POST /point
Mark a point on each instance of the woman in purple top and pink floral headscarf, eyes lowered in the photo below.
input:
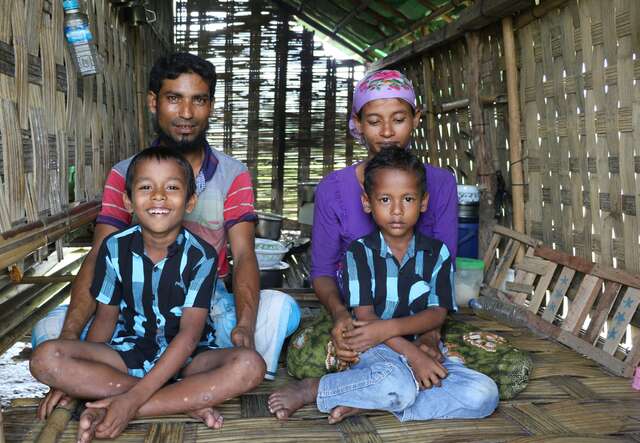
(383, 115)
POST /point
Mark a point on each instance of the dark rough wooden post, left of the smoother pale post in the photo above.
(484, 156)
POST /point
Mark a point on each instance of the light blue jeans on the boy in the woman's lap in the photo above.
(383, 380)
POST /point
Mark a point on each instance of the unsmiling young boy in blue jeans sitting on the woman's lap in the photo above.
(397, 283)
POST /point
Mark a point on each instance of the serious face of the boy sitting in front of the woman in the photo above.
(395, 202)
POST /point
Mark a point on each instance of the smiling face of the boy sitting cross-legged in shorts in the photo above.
(158, 196)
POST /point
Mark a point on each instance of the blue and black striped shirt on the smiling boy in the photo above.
(152, 296)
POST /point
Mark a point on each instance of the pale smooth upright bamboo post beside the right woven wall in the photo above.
(515, 149)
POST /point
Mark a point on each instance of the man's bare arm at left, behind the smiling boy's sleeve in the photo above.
(82, 304)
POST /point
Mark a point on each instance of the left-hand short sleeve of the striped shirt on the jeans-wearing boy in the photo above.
(356, 277)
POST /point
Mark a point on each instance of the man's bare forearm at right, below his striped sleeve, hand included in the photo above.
(246, 282)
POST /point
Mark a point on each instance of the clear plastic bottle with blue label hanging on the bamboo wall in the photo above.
(76, 30)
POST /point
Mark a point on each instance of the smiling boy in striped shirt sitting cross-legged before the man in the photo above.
(154, 284)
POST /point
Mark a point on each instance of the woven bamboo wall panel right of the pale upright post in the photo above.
(579, 101)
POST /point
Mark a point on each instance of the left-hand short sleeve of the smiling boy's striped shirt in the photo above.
(106, 286)
